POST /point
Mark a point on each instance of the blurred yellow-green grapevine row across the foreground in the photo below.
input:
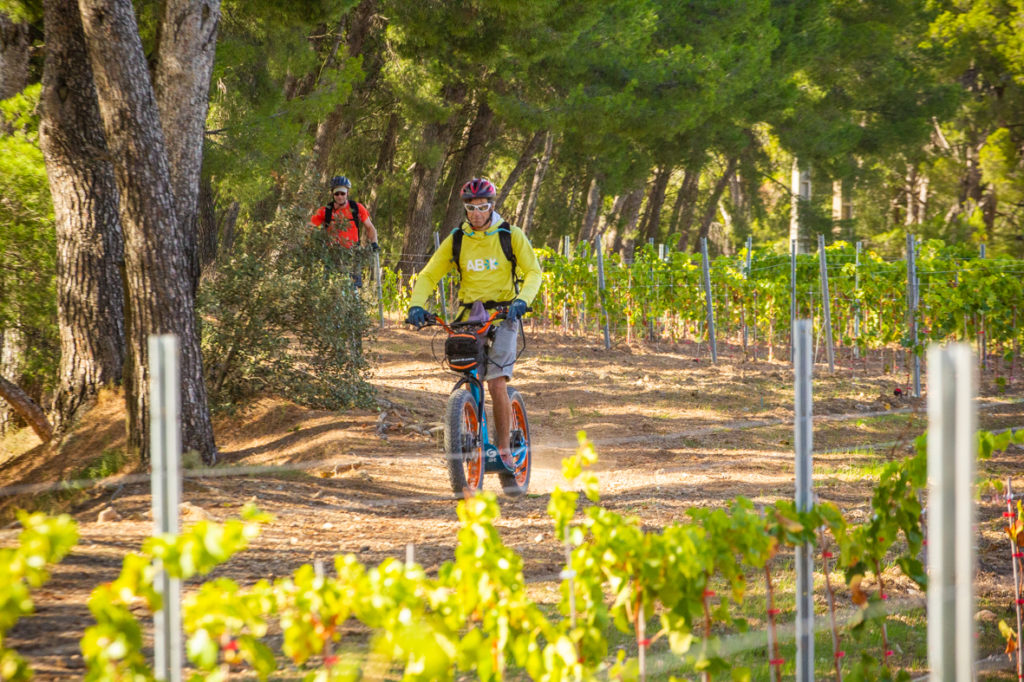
(476, 616)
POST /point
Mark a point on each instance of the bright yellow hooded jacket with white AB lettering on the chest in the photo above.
(487, 274)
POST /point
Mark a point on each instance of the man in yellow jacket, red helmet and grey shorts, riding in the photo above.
(488, 277)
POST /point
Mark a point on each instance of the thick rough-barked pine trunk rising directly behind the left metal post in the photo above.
(157, 266)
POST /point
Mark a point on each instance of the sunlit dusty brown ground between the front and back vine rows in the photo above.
(672, 431)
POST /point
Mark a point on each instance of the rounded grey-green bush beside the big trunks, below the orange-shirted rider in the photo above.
(281, 315)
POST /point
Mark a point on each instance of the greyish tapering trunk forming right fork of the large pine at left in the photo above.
(185, 64)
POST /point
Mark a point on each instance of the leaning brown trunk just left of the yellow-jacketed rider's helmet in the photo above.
(431, 161)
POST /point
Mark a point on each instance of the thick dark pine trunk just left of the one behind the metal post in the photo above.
(91, 247)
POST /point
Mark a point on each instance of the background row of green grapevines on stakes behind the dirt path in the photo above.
(962, 297)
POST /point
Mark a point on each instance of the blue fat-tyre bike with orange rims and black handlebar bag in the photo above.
(468, 448)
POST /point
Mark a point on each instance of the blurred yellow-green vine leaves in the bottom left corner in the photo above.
(42, 541)
